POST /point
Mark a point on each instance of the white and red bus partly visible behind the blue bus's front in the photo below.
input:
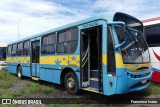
(152, 33)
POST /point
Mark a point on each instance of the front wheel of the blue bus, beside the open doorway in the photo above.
(71, 83)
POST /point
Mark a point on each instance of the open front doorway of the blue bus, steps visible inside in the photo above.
(91, 54)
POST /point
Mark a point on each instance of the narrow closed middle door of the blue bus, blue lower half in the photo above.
(35, 46)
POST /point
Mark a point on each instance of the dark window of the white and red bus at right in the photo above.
(152, 34)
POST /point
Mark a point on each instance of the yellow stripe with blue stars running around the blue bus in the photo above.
(74, 60)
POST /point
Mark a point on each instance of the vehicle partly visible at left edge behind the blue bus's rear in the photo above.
(2, 55)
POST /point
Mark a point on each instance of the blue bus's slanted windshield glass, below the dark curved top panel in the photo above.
(135, 49)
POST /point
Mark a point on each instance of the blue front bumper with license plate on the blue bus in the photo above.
(130, 83)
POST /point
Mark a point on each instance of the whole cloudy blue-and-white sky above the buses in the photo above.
(24, 18)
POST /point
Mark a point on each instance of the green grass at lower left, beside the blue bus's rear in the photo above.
(7, 80)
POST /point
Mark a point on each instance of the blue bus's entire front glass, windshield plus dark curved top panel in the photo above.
(135, 49)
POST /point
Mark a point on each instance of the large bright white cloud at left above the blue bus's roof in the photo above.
(33, 16)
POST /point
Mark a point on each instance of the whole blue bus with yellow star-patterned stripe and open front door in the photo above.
(106, 53)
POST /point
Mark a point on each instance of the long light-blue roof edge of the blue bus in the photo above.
(108, 16)
